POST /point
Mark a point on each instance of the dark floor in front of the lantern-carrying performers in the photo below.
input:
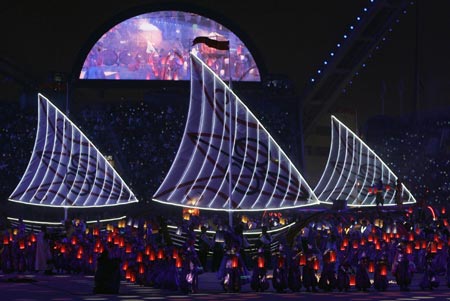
(29, 287)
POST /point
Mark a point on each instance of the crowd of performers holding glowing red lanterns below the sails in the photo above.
(340, 258)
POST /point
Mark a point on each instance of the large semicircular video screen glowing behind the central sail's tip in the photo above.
(156, 46)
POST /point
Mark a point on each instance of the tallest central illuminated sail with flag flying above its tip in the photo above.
(219, 124)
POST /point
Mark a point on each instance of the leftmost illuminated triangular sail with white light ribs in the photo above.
(66, 169)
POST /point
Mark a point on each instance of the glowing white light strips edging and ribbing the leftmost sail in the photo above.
(131, 198)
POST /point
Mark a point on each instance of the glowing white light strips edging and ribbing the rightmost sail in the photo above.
(376, 158)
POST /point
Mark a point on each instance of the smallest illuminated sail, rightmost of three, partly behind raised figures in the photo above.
(353, 169)
